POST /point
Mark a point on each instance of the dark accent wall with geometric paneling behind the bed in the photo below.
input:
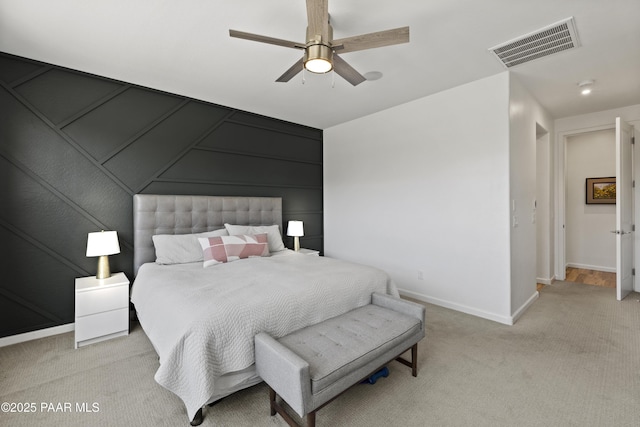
(75, 147)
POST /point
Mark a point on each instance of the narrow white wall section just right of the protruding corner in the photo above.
(527, 120)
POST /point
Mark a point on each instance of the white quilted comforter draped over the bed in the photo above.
(202, 321)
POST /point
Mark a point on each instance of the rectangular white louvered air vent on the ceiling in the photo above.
(547, 41)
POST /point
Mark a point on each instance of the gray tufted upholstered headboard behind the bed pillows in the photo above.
(168, 214)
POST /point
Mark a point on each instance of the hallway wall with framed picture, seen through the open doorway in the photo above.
(590, 243)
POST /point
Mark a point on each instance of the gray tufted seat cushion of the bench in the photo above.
(341, 345)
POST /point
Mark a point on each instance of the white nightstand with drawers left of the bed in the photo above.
(102, 308)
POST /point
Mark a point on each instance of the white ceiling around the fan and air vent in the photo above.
(183, 47)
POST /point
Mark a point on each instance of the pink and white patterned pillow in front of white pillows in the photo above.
(221, 249)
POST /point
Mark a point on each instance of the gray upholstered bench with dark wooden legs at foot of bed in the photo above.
(310, 367)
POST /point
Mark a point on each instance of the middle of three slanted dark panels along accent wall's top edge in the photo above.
(133, 110)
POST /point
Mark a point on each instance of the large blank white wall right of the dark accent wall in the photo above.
(422, 190)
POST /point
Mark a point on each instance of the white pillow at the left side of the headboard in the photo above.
(181, 248)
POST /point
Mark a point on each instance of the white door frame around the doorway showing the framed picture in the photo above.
(560, 202)
